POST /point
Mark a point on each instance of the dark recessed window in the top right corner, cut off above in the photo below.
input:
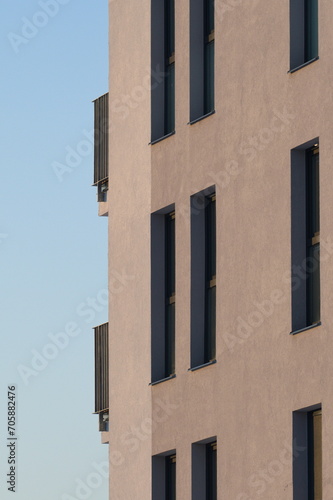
(303, 32)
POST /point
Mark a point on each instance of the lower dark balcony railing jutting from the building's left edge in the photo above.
(102, 375)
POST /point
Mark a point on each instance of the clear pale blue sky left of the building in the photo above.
(53, 247)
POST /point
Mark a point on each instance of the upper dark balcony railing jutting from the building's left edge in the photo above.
(101, 146)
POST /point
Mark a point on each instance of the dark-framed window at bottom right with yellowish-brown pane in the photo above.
(307, 454)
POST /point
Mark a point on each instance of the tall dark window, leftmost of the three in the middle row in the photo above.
(163, 296)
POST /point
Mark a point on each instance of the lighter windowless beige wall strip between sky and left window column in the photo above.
(129, 251)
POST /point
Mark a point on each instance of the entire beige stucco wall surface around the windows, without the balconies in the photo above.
(246, 399)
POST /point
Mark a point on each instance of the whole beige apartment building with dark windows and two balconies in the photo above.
(213, 372)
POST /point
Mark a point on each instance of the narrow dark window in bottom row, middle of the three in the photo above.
(204, 470)
